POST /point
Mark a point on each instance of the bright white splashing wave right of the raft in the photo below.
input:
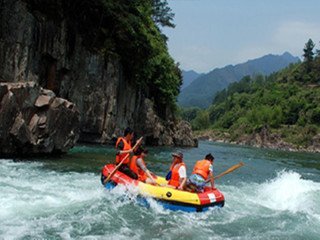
(286, 192)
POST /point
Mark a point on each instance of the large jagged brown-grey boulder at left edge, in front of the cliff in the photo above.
(34, 121)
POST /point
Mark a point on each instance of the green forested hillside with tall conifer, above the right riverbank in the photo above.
(287, 101)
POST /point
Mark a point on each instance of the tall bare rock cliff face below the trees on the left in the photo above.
(49, 53)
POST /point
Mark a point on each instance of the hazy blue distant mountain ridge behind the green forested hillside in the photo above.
(202, 90)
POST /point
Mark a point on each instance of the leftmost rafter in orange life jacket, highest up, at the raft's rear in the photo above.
(123, 148)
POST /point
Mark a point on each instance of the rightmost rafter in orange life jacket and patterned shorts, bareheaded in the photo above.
(199, 176)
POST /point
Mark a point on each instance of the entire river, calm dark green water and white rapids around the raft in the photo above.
(274, 195)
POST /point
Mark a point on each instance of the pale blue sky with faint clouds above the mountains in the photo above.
(211, 34)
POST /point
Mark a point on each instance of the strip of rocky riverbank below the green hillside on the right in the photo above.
(262, 139)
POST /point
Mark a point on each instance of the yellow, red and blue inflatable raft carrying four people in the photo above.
(167, 197)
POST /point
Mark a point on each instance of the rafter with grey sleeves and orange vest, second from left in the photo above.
(138, 165)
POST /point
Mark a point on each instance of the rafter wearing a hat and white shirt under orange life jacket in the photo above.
(177, 175)
